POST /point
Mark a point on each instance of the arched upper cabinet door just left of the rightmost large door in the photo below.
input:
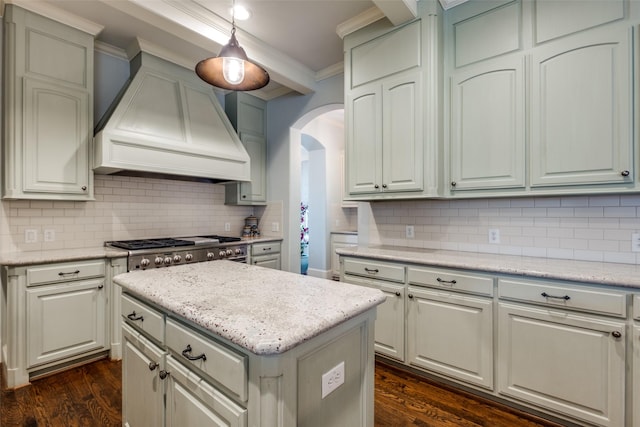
(487, 145)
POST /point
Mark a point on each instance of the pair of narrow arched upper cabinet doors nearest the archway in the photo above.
(385, 142)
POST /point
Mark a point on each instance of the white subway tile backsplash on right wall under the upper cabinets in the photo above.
(596, 228)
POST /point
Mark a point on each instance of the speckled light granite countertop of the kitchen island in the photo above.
(263, 310)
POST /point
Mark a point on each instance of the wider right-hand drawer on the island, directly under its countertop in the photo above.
(222, 364)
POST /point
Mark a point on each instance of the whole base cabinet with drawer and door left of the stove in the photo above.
(59, 313)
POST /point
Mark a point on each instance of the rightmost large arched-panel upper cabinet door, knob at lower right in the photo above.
(581, 110)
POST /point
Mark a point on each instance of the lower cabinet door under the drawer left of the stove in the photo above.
(65, 320)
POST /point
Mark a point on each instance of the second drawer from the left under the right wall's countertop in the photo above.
(451, 280)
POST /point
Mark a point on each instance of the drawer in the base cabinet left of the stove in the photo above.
(63, 272)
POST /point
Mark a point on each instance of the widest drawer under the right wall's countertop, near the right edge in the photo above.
(585, 298)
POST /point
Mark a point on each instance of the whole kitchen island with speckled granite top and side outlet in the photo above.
(234, 344)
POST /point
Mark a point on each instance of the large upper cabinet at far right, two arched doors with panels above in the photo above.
(540, 98)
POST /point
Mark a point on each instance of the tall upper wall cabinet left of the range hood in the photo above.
(48, 108)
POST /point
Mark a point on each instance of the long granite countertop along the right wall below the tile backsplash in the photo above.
(624, 275)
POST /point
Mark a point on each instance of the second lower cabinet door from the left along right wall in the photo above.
(451, 334)
